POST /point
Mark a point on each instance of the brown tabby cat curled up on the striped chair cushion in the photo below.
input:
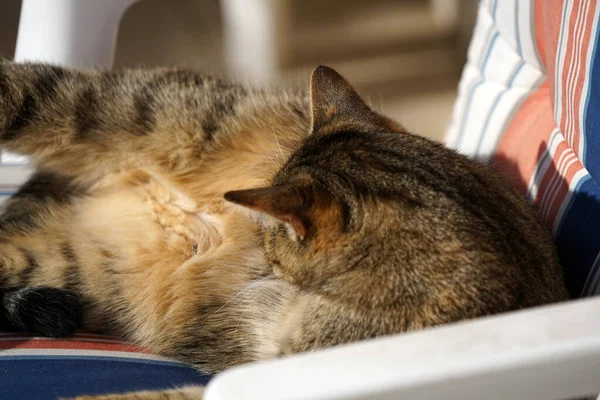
(221, 224)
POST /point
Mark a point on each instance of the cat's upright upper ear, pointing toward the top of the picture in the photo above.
(336, 105)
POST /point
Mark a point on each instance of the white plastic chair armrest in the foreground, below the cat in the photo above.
(545, 353)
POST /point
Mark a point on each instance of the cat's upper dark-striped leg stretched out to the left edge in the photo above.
(87, 123)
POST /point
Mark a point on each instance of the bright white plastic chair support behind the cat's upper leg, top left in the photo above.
(72, 33)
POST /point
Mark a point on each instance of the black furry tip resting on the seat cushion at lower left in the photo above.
(42, 310)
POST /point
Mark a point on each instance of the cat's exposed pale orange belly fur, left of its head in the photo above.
(159, 264)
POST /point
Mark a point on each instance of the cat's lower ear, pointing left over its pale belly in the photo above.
(290, 204)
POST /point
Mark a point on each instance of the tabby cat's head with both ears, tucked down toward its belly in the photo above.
(333, 207)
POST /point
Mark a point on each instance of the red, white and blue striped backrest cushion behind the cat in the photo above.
(529, 102)
